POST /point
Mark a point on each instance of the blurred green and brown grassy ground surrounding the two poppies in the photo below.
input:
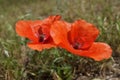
(18, 62)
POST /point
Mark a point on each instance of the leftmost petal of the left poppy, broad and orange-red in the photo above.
(24, 29)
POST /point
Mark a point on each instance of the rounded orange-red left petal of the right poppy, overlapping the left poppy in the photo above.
(59, 32)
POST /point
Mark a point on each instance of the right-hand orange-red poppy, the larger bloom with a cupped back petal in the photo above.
(80, 39)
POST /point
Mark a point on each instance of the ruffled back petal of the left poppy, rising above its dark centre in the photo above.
(44, 26)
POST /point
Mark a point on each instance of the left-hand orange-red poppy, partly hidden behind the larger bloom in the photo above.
(38, 32)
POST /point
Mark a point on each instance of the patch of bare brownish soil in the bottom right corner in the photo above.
(110, 73)
